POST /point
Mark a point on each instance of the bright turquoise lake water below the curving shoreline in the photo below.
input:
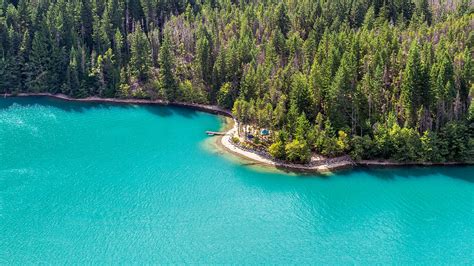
(138, 184)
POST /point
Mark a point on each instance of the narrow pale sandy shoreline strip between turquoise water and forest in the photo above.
(224, 142)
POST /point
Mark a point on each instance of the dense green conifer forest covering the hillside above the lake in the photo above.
(388, 79)
